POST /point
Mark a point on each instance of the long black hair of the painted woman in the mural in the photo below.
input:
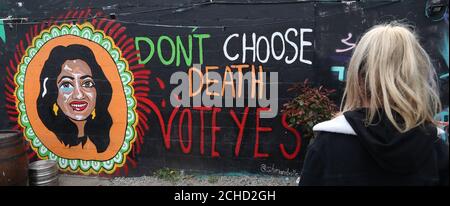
(97, 129)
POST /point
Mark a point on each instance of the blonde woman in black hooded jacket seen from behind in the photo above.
(386, 134)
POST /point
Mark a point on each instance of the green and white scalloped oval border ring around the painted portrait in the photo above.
(85, 31)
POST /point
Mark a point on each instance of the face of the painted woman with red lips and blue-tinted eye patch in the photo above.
(76, 90)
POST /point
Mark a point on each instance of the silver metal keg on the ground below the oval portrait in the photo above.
(43, 173)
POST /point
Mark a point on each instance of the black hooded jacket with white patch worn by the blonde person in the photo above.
(347, 152)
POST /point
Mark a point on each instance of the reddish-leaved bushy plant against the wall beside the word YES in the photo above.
(309, 107)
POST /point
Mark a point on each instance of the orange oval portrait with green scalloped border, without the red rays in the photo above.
(70, 83)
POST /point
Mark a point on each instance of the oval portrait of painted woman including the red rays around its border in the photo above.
(76, 88)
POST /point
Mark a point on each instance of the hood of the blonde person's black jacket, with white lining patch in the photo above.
(392, 150)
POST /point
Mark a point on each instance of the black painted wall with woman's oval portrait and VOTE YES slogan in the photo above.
(95, 88)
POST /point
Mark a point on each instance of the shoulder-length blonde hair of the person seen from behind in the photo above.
(390, 70)
